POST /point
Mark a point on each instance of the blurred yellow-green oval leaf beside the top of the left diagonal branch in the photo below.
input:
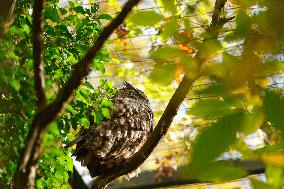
(146, 18)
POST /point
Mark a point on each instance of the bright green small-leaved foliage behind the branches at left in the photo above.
(69, 32)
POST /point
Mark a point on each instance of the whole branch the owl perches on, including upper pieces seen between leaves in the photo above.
(165, 121)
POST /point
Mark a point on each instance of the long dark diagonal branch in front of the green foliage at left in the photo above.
(25, 175)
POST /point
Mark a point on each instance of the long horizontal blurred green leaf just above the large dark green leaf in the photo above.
(210, 108)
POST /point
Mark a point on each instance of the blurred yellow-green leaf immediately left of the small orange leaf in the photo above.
(165, 53)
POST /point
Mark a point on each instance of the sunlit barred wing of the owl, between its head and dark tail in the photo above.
(133, 121)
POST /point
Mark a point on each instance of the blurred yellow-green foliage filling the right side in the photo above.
(234, 95)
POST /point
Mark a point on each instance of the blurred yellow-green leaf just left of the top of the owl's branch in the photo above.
(163, 73)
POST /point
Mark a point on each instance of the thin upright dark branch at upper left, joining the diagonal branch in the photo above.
(38, 40)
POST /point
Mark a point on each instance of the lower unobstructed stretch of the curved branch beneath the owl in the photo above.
(158, 133)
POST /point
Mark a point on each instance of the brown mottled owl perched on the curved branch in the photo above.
(114, 140)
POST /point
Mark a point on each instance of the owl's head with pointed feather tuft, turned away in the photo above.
(132, 92)
